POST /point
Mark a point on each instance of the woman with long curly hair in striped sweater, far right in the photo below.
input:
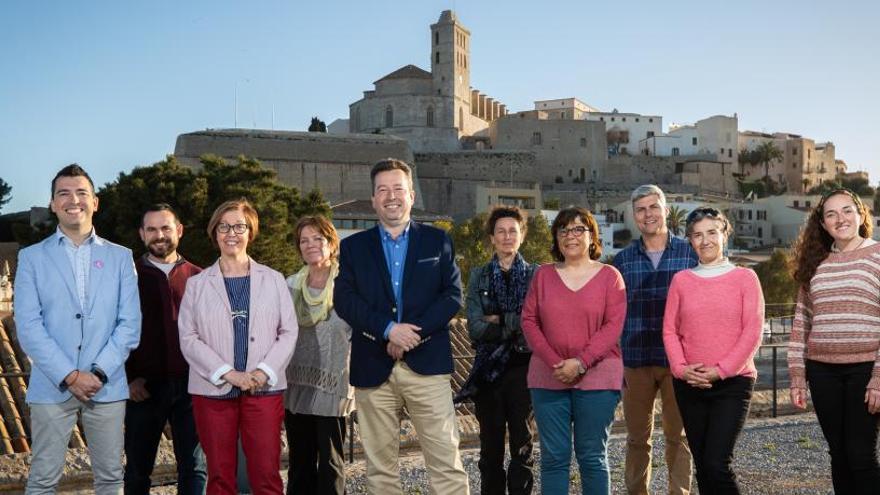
(836, 336)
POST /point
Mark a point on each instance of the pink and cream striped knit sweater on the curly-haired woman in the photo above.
(838, 319)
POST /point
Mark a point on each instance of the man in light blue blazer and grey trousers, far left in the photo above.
(77, 315)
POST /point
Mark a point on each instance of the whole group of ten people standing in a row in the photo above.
(228, 354)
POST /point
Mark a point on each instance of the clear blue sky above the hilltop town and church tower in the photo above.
(111, 84)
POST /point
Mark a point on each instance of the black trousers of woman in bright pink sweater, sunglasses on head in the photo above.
(713, 419)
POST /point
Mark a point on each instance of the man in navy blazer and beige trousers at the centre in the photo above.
(398, 287)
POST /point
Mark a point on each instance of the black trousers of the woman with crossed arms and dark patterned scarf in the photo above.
(502, 407)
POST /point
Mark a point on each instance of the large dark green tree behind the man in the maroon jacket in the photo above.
(195, 194)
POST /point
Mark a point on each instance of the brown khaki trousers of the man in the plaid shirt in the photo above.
(639, 391)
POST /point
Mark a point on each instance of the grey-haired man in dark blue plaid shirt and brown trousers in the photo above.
(647, 266)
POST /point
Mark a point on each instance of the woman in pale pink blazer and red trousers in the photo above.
(238, 331)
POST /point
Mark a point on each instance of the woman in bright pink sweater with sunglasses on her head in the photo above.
(711, 330)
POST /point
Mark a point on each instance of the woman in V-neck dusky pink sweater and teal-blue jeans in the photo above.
(572, 318)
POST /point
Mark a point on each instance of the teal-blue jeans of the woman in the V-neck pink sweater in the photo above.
(592, 413)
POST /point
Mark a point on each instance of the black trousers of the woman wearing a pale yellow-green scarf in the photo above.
(317, 465)
